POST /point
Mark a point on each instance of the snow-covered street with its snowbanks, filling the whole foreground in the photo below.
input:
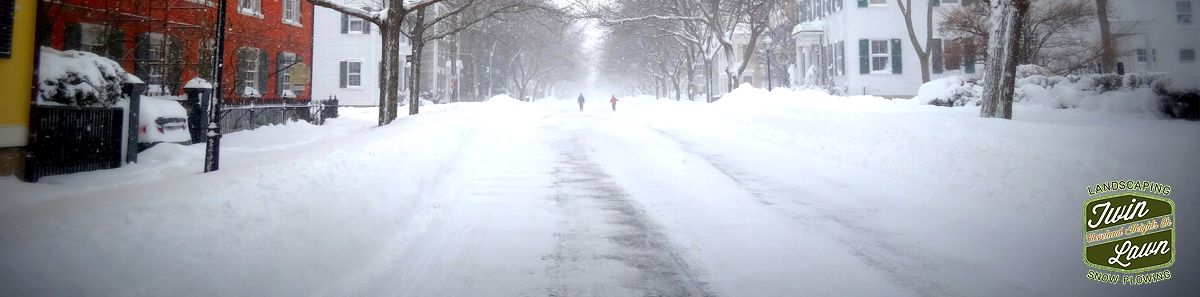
(746, 197)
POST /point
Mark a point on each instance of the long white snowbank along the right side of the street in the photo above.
(1042, 157)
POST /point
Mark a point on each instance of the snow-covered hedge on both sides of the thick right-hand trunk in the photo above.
(1130, 94)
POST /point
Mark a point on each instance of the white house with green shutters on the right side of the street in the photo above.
(862, 46)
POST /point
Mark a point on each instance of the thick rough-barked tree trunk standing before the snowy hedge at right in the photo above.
(1003, 58)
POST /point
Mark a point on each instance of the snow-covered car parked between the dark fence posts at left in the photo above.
(163, 120)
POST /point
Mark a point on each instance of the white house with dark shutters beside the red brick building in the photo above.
(346, 58)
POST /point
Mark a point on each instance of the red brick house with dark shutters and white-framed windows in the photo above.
(169, 43)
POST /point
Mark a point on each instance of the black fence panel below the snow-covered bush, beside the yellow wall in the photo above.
(73, 140)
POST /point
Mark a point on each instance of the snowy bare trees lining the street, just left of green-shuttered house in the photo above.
(658, 45)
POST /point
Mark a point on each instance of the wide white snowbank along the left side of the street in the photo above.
(287, 221)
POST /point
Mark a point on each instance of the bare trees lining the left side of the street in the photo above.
(428, 21)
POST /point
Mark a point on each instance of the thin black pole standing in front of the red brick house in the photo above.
(213, 149)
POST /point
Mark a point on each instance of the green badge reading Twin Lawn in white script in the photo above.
(1130, 233)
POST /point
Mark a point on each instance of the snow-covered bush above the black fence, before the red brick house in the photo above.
(79, 78)
